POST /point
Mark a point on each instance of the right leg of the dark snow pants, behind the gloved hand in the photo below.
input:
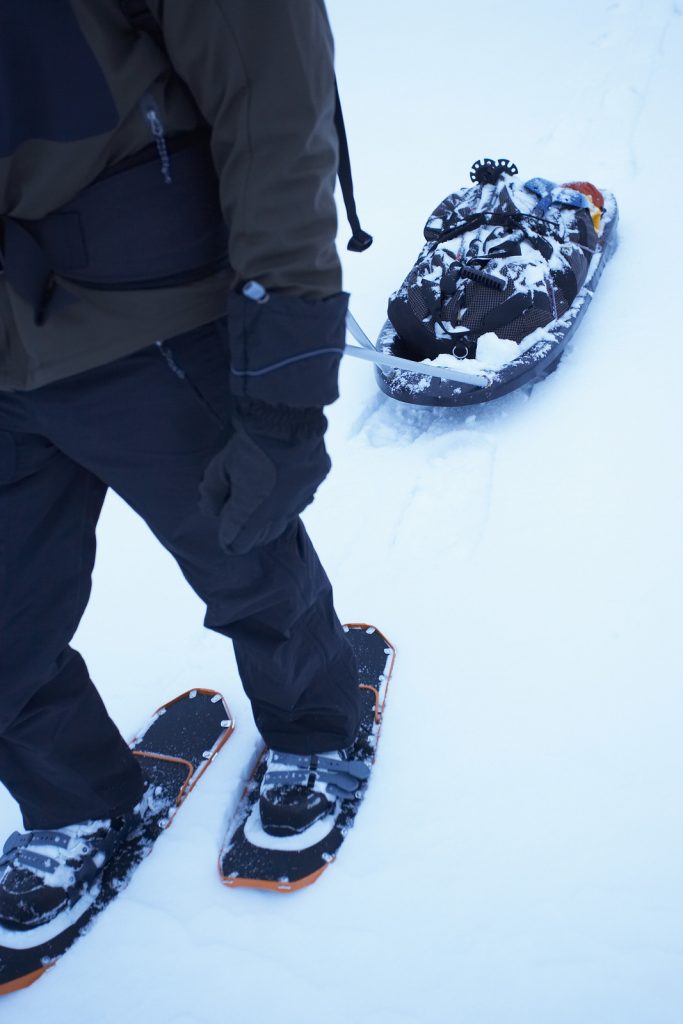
(149, 425)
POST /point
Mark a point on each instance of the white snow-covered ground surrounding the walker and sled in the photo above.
(520, 856)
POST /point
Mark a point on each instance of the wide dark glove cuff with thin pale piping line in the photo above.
(286, 351)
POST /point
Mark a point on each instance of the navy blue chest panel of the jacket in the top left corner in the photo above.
(52, 87)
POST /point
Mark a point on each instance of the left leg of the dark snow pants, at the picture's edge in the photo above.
(61, 755)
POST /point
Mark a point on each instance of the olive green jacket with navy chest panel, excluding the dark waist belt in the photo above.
(75, 83)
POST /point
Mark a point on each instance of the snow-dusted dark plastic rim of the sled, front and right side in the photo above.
(539, 361)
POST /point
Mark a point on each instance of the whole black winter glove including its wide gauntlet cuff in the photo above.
(285, 355)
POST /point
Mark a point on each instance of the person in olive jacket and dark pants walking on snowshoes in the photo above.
(173, 323)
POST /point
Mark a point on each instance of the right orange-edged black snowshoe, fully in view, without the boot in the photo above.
(252, 859)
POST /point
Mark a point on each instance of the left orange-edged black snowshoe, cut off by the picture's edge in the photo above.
(176, 749)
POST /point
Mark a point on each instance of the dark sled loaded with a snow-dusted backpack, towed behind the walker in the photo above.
(506, 275)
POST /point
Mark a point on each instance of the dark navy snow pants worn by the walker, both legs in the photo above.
(147, 426)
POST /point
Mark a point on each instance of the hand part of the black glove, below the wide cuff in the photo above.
(267, 475)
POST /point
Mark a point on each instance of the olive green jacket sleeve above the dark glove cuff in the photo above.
(263, 75)
